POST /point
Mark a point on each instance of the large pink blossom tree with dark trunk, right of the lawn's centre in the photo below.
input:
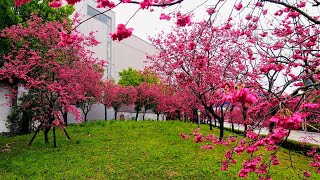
(201, 60)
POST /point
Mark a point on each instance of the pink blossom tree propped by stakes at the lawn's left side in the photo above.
(41, 59)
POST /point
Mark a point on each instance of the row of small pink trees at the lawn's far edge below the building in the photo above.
(158, 97)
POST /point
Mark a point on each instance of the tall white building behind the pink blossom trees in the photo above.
(130, 52)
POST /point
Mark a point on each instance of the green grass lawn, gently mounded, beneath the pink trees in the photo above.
(127, 150)
